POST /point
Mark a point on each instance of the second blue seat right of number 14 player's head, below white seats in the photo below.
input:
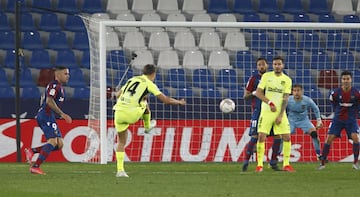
(202, 78)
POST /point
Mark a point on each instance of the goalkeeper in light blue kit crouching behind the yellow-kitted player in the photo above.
(297, 110)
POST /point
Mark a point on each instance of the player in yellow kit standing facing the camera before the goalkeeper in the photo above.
(274, 90)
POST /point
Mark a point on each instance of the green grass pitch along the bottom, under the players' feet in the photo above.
(178, 180)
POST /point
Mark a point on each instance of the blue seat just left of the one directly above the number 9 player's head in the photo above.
(40, 59)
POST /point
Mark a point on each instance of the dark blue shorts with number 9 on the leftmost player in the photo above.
(49, 126)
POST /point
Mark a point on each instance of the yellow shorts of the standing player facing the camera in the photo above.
(267, 121)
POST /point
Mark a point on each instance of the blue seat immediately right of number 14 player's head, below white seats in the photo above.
(176, 78)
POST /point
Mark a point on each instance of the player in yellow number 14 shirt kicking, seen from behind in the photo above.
(131, 105)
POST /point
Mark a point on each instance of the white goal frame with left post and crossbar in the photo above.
(103, 24)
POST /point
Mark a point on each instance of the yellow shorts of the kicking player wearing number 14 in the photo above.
(124, 117)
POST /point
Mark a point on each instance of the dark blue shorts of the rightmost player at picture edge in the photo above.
(337, 126)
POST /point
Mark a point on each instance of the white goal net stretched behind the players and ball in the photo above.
(205, 62)
